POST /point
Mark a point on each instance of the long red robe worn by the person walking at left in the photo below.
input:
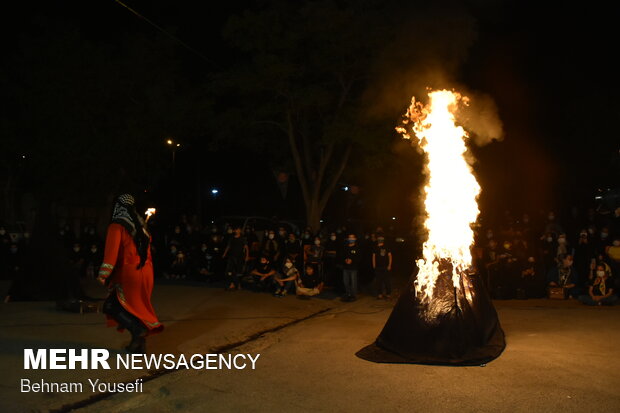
(133, 287)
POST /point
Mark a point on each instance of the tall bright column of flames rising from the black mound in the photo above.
(451, 190)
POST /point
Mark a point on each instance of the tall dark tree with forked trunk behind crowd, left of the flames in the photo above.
(303, 75)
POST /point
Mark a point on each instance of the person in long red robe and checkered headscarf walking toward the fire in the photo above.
(127, 269)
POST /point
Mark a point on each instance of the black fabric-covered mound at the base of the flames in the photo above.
(458, 327)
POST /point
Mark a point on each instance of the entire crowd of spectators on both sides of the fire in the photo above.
(557, 256)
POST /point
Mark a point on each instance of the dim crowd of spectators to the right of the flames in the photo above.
(572, 256)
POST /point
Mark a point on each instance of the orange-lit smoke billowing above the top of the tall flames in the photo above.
(427, 53)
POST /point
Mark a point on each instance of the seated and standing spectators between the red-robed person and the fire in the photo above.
(278, 260)
